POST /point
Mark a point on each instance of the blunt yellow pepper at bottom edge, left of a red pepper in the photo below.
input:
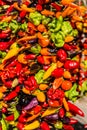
(34, 125)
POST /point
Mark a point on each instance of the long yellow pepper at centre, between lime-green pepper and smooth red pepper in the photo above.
(50, 70)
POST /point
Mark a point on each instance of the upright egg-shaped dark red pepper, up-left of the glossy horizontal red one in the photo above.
(62, 55)
